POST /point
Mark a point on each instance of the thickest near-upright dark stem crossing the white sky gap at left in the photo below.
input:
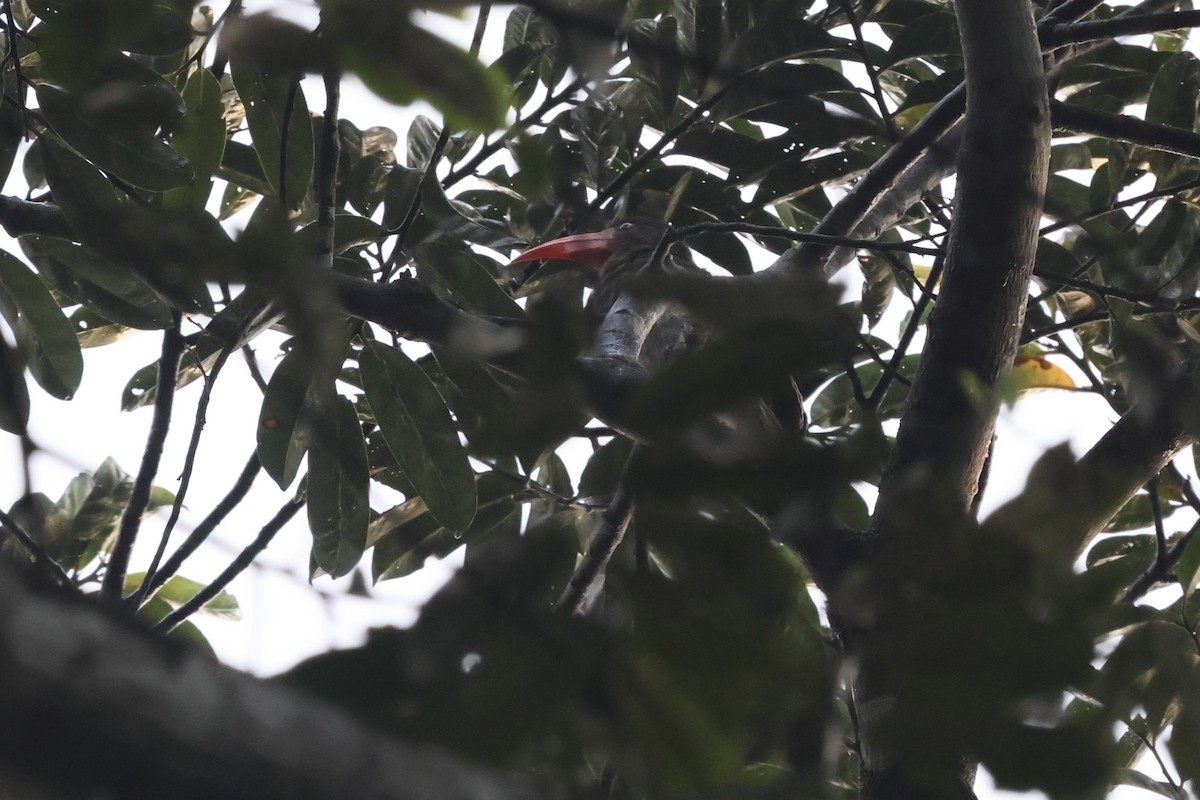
(140, 498)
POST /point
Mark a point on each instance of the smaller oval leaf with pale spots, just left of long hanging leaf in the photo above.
(284, 435)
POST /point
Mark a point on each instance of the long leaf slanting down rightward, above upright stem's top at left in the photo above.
(112, 292)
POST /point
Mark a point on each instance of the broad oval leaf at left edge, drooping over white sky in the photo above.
(46, 338)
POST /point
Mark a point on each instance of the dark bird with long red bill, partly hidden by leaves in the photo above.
(639, 329)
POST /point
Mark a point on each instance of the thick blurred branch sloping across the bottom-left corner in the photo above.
(97, 707)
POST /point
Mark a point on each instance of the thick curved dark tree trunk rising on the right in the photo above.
(974, 333)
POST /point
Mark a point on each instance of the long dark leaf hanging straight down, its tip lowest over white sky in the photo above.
(338, 490)
